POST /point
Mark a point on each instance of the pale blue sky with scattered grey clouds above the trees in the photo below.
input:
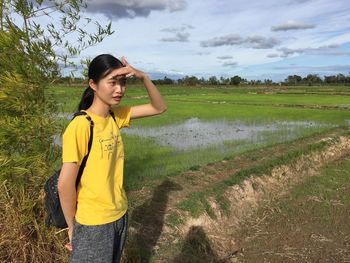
(268, 39)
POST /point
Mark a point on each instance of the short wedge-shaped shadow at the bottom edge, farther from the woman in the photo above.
(197, 248)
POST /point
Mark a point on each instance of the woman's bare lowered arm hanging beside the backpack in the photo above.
(67, 193)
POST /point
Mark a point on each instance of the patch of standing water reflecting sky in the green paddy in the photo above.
(195, 133)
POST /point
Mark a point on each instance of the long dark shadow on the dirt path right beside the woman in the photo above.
(147, 222)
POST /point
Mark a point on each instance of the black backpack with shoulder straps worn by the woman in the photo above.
(55, 216)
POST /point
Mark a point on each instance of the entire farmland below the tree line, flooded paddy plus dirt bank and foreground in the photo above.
(206, 178)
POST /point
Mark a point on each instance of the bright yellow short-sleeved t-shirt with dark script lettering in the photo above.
(101, 197)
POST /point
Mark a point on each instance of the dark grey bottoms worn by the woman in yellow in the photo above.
(100, 243)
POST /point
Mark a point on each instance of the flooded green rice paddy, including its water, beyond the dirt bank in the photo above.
(208, 124)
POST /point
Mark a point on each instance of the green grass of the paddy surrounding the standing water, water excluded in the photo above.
(148, 162)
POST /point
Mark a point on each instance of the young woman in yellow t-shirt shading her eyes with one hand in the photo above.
(96, 212)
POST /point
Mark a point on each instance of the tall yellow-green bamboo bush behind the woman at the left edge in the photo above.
(29, 60)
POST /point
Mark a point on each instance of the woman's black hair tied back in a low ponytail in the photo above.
(99, 67)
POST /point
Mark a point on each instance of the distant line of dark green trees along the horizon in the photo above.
(291, 80)
